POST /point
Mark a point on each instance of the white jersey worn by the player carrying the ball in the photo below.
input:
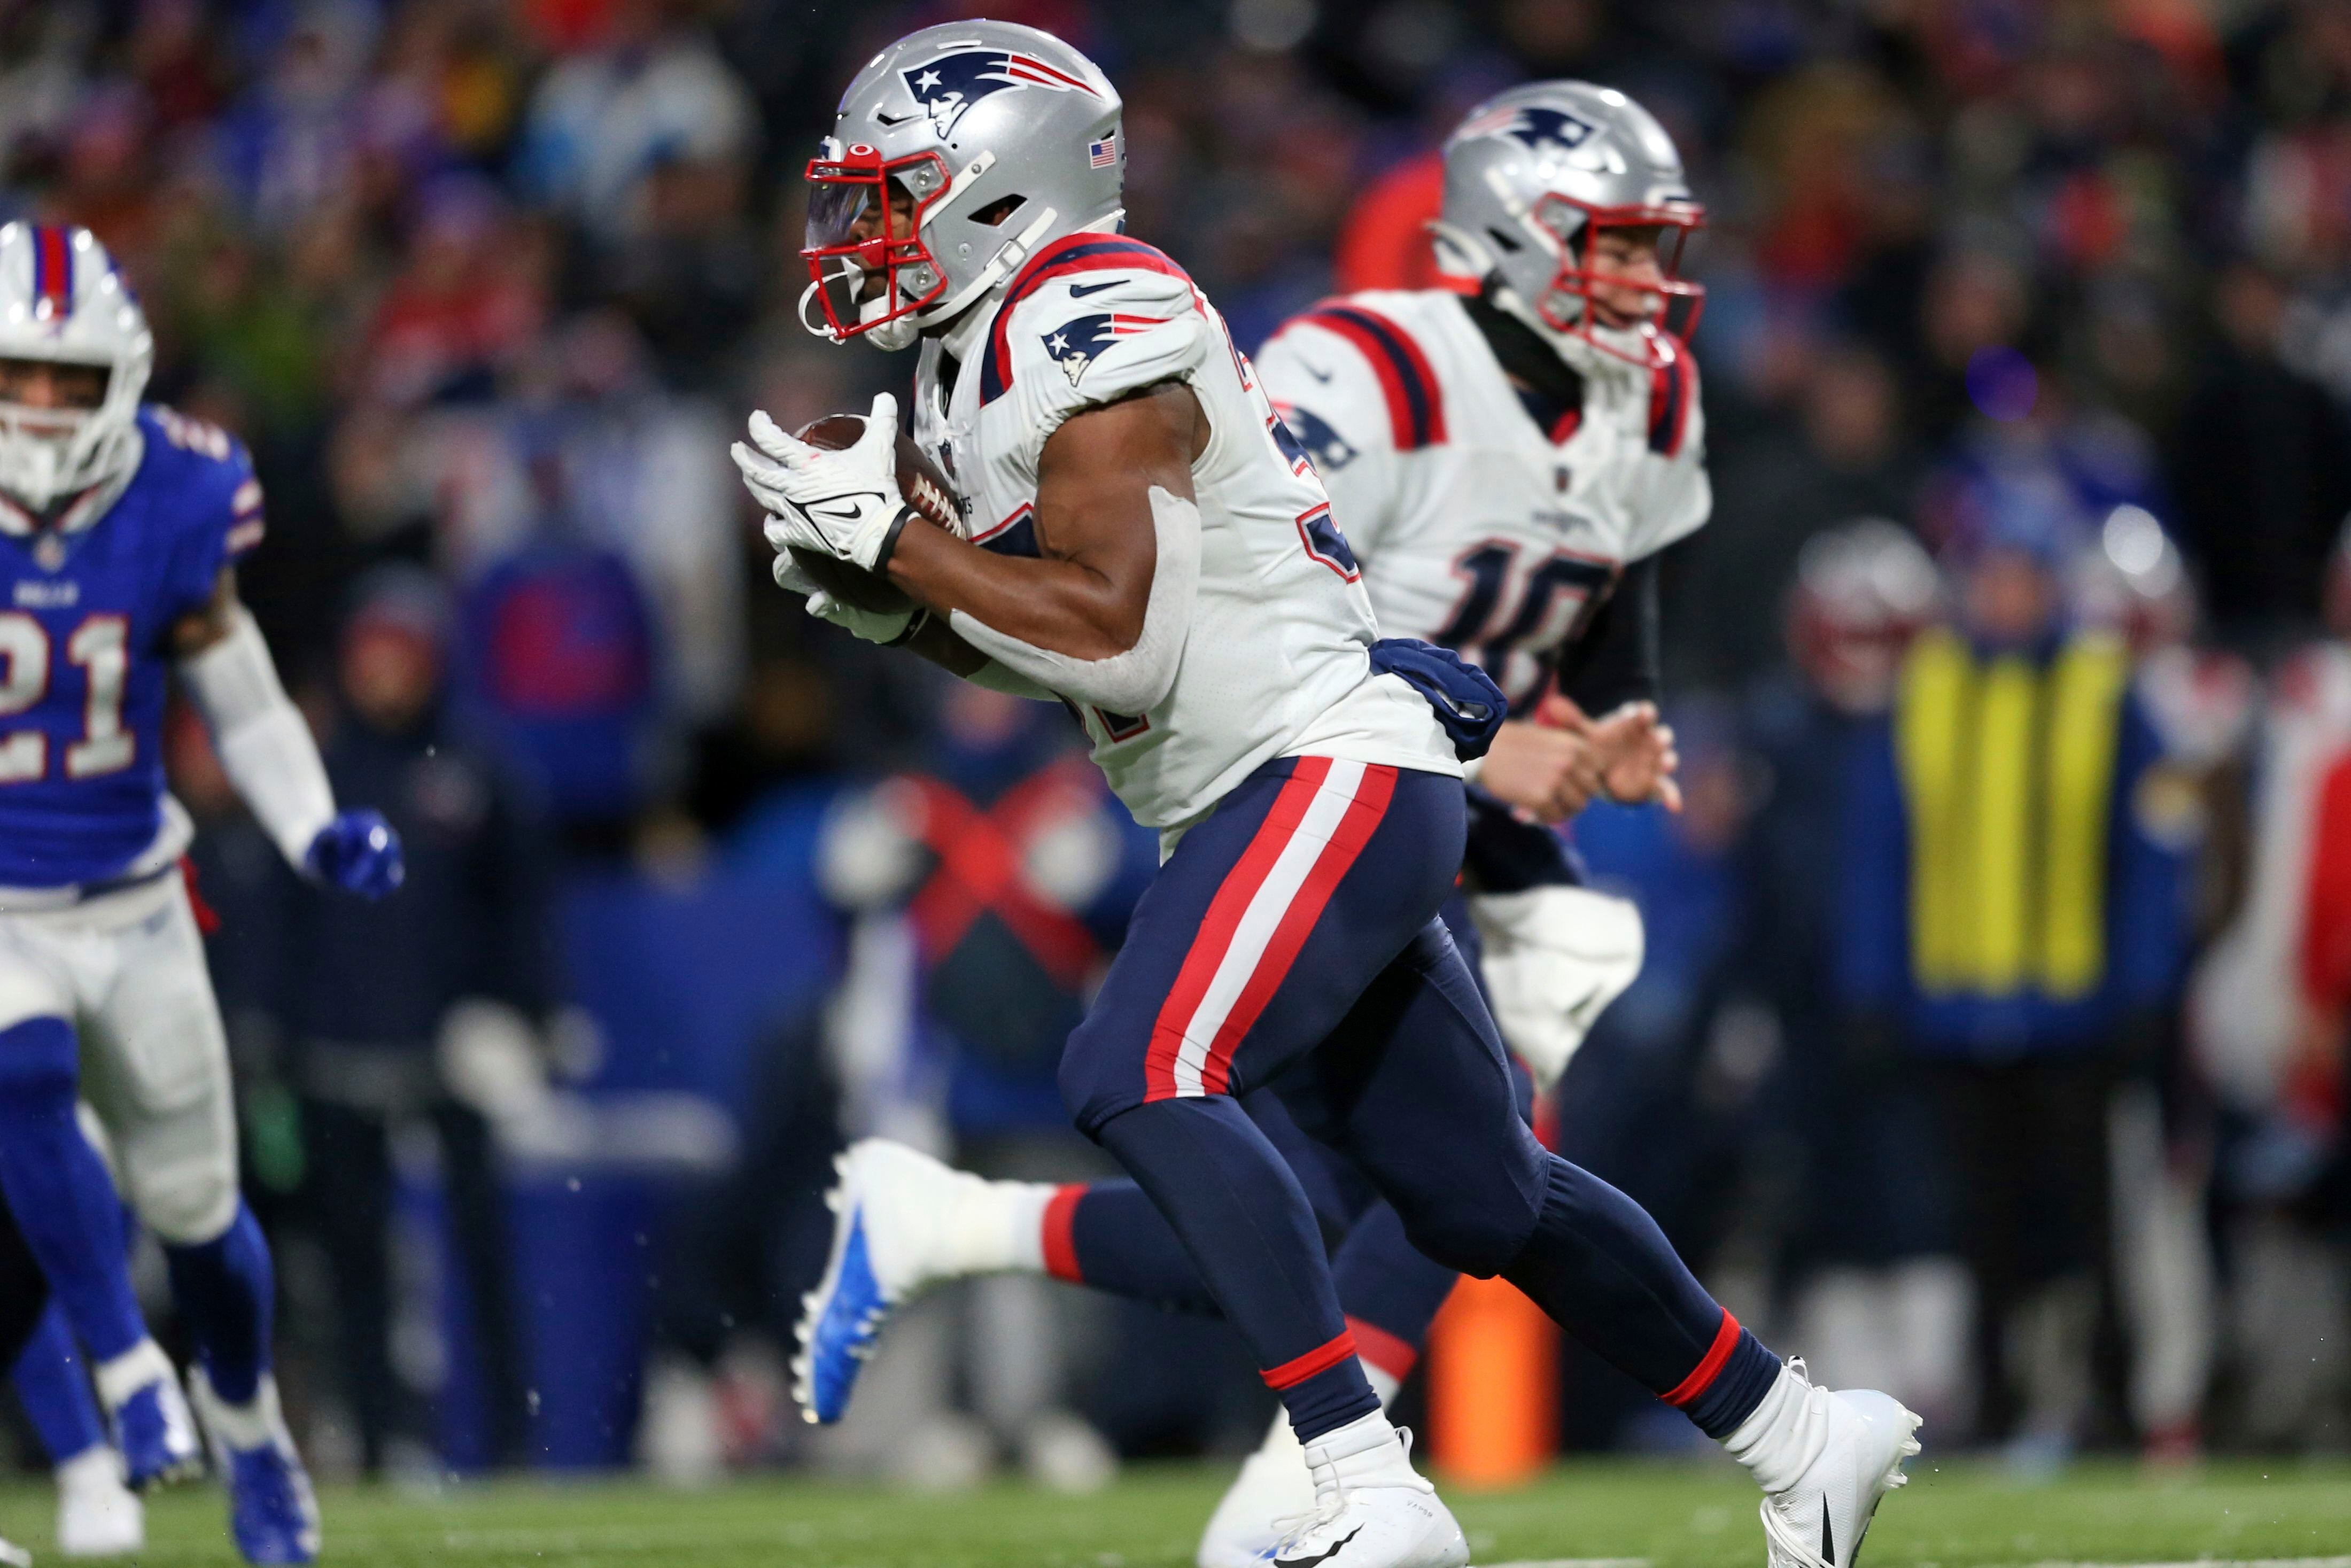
(1278, 659)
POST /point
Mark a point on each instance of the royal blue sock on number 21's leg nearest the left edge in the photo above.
(60, 1191)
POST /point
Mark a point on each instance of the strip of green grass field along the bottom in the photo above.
(1673, 1517)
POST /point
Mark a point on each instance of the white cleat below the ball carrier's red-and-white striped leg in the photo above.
(1372, 1508)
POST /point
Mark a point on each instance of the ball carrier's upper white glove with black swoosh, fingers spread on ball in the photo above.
(845, 502)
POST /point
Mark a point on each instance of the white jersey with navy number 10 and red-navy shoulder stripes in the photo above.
(1475, 528)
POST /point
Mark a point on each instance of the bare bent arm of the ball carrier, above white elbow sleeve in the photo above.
(1087, 591)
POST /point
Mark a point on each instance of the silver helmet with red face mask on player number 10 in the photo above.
(1532, 177)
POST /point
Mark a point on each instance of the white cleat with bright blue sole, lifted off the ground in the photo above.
(899, 1221)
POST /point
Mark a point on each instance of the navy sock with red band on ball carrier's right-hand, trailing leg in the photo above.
(1605, 1271)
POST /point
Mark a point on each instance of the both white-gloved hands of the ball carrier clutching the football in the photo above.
(838, 497)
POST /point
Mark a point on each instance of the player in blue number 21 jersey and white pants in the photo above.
(121, 525)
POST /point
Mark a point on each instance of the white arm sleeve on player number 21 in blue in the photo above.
(262, 739)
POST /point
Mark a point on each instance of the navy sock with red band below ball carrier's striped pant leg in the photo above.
(1250, 1231)
